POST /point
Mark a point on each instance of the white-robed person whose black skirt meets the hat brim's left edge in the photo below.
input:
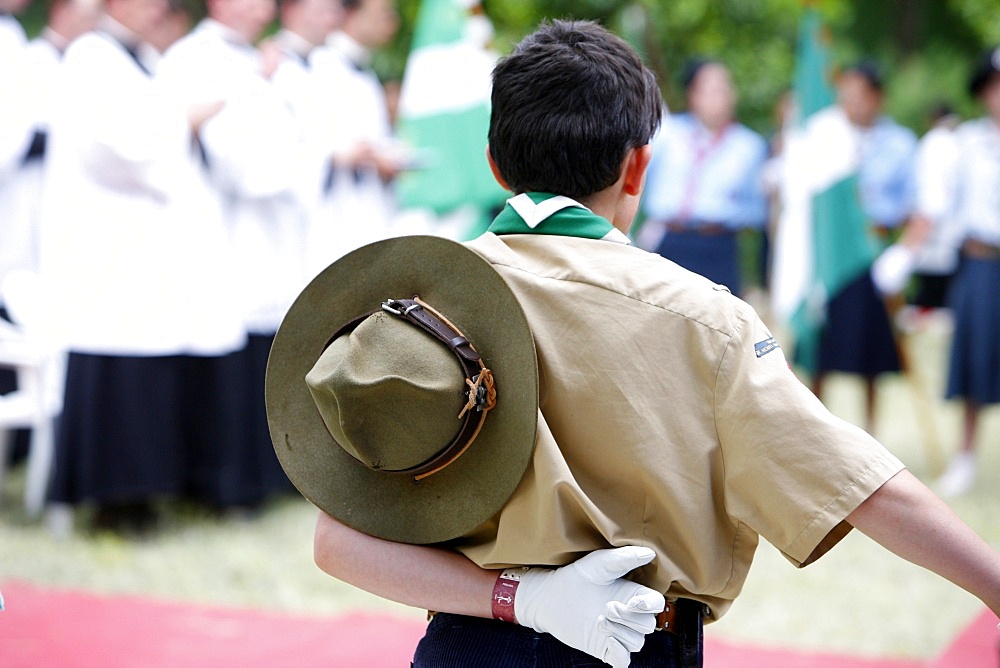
(251, 150)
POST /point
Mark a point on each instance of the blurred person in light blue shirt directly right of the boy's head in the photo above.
(705, 180)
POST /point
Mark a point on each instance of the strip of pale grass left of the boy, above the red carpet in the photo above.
(259, 562)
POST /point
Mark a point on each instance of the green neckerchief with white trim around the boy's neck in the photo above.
(543, 213)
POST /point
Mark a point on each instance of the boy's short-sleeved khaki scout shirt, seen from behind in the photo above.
(669, 418)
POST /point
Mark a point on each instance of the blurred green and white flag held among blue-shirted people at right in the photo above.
(822, 241)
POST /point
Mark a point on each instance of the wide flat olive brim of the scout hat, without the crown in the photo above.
(474, 297)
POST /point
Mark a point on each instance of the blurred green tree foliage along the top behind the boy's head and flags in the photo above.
(925, 47)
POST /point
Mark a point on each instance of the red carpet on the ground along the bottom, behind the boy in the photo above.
(42, 628)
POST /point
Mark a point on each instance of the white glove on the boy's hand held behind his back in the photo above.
(589, 606)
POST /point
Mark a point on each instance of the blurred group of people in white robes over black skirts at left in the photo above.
(173, 186)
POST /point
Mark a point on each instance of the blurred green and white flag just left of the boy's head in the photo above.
(444, 111)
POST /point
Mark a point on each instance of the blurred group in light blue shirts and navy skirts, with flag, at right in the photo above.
(913, 228)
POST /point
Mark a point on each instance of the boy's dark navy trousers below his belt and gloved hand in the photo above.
(456, 641)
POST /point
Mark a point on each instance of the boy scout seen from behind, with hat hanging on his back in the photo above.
(669, 433)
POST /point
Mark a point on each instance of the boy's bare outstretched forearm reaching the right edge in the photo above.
(905, 517)
